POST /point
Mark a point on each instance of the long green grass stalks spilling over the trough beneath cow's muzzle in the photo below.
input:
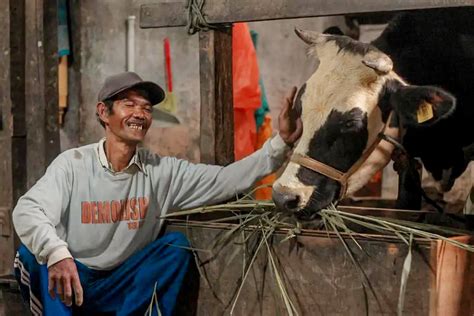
(251, 218)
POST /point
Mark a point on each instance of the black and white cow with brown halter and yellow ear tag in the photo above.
(347, 102)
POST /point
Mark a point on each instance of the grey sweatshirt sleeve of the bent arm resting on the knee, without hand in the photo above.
(39, 211)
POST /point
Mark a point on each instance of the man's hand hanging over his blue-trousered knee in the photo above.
(63, 278)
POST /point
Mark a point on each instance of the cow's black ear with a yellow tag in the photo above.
(421, 105)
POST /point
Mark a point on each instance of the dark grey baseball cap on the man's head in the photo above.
(126, 80)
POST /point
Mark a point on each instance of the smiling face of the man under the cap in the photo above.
(130, 118)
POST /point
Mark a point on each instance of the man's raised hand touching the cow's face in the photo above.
(289, 122)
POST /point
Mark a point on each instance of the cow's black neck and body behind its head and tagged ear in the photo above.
(436, 47)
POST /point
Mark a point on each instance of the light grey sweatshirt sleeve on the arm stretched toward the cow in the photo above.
(194, 185)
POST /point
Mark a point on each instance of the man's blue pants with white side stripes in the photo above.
(125, 290)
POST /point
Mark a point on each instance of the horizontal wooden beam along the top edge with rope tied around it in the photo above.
(166, 13)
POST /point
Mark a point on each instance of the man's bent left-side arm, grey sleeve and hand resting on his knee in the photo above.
(35, 218)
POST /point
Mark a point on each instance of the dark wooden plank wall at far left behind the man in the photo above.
(29, 133)
